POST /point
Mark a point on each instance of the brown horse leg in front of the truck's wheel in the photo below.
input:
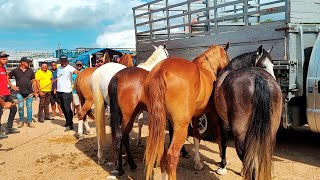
(196, 139)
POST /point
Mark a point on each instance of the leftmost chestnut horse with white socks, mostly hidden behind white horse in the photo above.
(84, 92)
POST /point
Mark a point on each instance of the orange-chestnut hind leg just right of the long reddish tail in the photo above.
(178, 140)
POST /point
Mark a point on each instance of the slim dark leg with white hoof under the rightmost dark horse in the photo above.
(222, 170)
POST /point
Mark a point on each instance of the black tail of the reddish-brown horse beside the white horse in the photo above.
(116, 114)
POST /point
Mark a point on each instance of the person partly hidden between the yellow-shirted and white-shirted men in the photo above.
(54, 98)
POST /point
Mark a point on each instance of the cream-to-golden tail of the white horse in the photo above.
(99, 110)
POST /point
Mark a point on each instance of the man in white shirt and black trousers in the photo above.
(64, 90)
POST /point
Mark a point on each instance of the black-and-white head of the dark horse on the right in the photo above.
(264, 60)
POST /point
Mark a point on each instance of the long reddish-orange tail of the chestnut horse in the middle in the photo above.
(157, 123)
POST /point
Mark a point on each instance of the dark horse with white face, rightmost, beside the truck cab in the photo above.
(248, 101)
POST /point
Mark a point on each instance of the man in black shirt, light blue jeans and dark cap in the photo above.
(26, 83)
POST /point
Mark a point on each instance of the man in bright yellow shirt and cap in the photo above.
(44, 85)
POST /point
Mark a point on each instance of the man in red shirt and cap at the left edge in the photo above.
(6, 97)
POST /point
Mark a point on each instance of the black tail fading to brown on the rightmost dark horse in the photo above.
(258, 147)
